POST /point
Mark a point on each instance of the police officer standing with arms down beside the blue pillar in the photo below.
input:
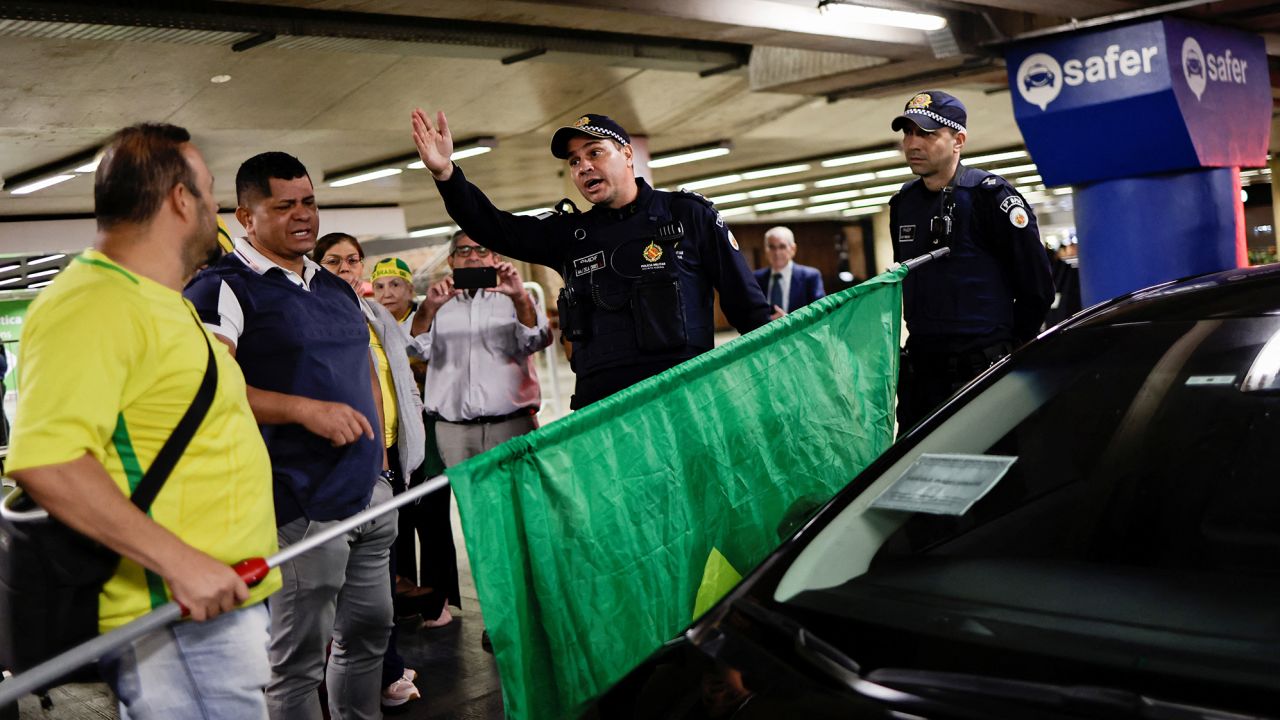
(990, 295)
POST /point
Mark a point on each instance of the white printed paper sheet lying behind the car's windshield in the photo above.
(945, 485)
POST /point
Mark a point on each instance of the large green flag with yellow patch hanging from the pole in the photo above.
(592, 537)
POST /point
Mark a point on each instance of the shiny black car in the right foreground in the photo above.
(1112, 546)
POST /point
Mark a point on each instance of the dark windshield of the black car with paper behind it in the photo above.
(1137, 527)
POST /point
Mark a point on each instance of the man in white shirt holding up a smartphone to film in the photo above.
(479, 330)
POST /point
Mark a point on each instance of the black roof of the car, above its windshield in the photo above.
(1242, 293)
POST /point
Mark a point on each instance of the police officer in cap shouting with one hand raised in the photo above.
(639, 267)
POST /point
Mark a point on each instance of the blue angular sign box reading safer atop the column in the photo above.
(1149, 98)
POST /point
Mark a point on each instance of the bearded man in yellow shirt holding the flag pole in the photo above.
(112, 358)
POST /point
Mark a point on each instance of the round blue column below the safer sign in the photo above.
(1136, 233)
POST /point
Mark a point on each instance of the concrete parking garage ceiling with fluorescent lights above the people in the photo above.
(335, 81)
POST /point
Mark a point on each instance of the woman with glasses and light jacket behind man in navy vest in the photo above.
(401, 413)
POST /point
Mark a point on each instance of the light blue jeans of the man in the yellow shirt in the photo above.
(209, 671)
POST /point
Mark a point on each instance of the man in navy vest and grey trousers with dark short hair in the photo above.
(303, 341)
